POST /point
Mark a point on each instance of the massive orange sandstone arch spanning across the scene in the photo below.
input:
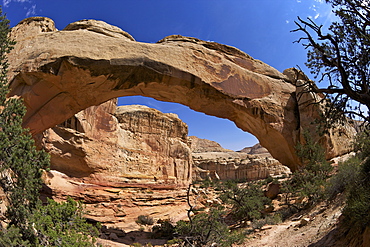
(59, 73)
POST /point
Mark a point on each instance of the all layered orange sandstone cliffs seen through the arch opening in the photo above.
(130, 160)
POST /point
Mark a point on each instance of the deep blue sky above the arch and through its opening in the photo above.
(260, 28)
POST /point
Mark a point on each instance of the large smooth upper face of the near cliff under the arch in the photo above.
(130, 144)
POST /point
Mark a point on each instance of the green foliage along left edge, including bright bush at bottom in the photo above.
(21, 166)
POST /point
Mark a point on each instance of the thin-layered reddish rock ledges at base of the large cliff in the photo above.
(117, 204)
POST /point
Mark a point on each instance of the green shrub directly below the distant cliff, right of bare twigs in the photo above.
(247, 201)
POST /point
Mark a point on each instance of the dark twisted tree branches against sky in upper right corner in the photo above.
(341, 58)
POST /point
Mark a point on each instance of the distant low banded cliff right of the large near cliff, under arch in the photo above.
(213, 161)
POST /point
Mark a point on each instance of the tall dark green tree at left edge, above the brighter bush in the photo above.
(20, 162)
